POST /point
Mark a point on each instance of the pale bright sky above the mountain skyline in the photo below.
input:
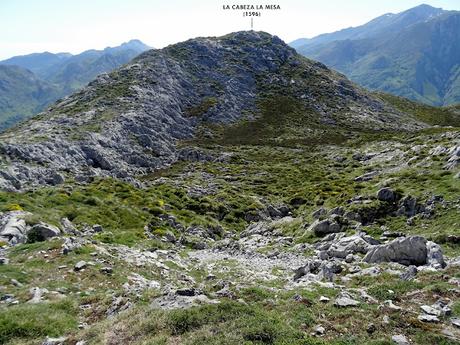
(28, 26)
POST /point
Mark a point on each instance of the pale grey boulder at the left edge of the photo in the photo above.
(13, 227)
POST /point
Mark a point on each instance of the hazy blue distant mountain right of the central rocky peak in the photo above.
(414, 54)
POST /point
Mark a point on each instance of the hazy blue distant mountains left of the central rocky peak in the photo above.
(29, 83)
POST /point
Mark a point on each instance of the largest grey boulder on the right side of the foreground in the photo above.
(405, 250)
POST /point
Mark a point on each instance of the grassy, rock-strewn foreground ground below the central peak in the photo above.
(355, 243)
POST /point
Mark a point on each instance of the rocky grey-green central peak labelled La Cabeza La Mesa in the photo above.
(129, 122)
